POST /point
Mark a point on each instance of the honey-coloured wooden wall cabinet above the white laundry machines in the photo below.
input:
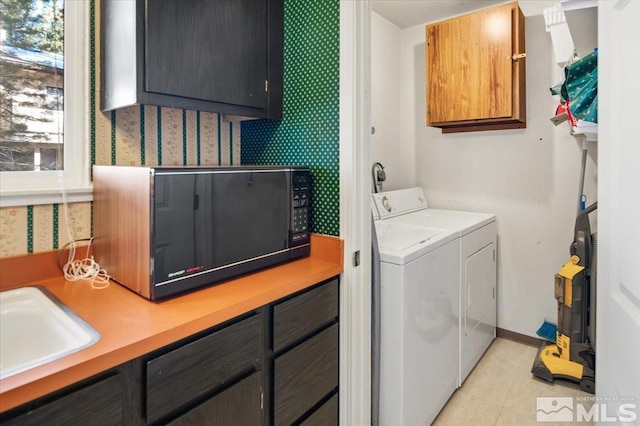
(476, 71)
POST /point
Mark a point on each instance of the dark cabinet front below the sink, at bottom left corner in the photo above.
(100, 403)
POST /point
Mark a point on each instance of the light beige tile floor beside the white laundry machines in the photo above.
(501, 390)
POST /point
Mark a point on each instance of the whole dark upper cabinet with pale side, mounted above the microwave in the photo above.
(221, 56)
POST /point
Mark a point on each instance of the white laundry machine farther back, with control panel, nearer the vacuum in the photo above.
(477, 233)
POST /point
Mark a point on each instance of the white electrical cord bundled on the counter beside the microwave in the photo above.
(83, 269)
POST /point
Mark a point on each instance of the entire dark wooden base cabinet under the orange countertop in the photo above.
(276, 365)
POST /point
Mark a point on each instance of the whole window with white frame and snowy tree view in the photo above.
(44, 101)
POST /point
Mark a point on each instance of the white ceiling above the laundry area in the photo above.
(407, 13)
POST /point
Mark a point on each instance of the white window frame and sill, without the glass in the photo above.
(50, 187)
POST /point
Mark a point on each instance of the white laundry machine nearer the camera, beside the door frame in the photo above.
(419, 321)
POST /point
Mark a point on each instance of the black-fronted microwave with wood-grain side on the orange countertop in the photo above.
(161, 231)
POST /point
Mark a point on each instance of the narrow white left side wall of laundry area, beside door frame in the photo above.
(395, 153)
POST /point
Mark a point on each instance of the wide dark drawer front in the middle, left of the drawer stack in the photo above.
(184, 374)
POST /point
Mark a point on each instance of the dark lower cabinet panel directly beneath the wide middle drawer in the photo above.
(238, 405)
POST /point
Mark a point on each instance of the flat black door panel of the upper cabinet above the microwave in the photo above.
(208, 50)
